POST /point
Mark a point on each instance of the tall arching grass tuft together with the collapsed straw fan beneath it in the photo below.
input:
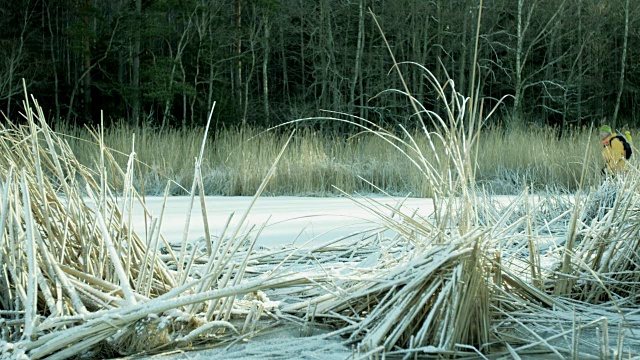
(430, 287)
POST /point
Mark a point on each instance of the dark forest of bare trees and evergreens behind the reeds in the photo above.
(163, 62)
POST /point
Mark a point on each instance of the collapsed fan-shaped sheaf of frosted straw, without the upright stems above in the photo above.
(410, 298)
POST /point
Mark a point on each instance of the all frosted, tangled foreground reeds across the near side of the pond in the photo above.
(545, 274)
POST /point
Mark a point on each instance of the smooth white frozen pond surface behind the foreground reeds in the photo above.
(305, 221)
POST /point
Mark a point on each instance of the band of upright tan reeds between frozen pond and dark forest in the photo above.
(238, 158)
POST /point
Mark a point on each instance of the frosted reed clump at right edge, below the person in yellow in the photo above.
(604, 253)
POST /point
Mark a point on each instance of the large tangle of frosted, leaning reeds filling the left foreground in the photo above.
(77, 279)
